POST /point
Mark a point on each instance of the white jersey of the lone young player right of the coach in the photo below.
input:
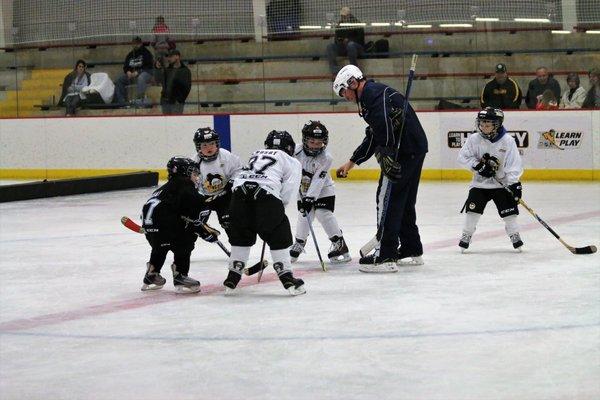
(505, 150)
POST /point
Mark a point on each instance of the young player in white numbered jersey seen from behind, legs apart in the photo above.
(260, 193)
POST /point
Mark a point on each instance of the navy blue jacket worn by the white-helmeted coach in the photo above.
(377, 101)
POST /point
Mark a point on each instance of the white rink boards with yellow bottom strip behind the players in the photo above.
(557, 145)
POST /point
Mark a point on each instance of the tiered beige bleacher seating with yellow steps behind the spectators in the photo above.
(292, 76)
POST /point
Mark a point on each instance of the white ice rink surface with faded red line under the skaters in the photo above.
(490, 324)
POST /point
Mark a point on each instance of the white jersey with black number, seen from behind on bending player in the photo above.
(275, 171)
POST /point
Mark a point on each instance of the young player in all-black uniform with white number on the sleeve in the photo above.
(165, 221)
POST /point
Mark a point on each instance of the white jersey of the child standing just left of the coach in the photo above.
(316, 181)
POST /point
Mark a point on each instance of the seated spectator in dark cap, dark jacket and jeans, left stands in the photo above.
(137, 68)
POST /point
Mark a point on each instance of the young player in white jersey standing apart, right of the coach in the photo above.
(493, 156)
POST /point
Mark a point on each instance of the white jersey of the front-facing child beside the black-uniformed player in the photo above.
(215, 174)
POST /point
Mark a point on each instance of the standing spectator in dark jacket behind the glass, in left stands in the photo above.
(176, 81)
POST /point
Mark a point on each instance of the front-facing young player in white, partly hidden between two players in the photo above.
(218, 167)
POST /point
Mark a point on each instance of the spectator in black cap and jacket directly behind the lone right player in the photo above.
(501, 92)
